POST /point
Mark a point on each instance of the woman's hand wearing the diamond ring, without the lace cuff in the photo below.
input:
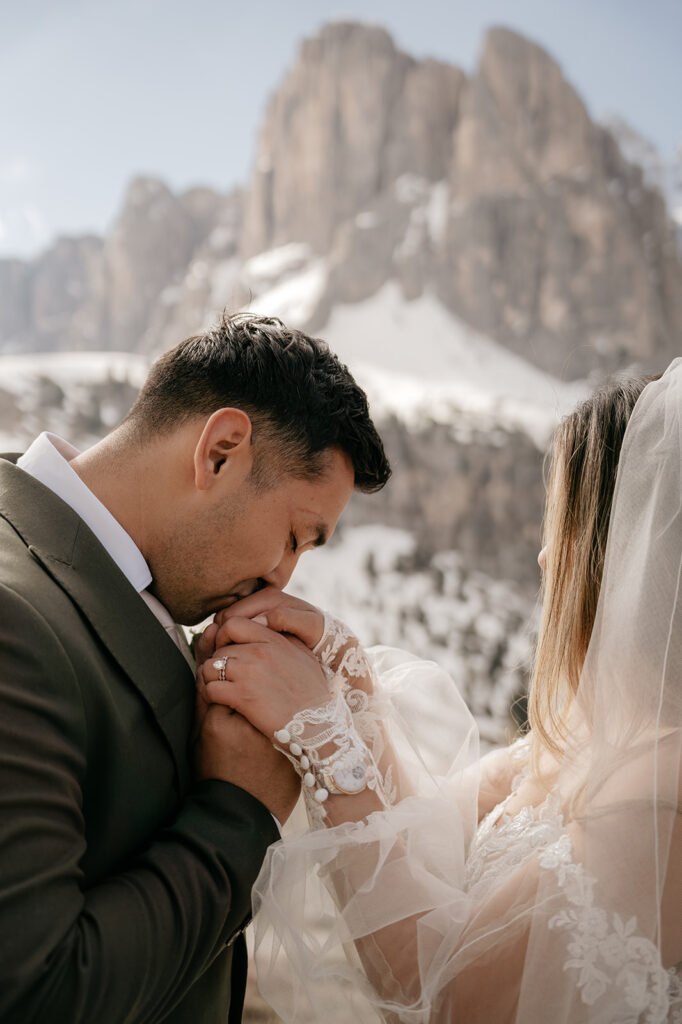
(269, 678)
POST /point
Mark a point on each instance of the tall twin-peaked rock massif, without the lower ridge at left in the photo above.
(498, 192)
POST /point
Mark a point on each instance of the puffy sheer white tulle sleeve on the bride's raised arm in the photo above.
(368, 913)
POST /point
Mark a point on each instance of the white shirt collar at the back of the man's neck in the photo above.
(48, 460)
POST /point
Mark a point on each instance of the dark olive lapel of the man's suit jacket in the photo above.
(72, 556)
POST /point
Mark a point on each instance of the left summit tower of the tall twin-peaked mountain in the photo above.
(352, 116)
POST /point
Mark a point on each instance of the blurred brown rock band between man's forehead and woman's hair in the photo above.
(483, 497)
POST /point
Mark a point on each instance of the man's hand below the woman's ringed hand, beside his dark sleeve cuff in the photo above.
(229, 749)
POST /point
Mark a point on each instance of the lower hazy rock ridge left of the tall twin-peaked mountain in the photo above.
(126, 291)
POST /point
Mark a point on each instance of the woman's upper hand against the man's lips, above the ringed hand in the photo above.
(280, 612)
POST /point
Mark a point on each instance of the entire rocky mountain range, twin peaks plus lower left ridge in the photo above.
(495, 192)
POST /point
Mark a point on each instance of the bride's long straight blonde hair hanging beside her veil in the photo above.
(583, 464)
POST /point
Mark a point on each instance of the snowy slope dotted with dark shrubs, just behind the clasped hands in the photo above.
(480, 630)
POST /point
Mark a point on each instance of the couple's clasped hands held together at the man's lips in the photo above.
(271, 674)
